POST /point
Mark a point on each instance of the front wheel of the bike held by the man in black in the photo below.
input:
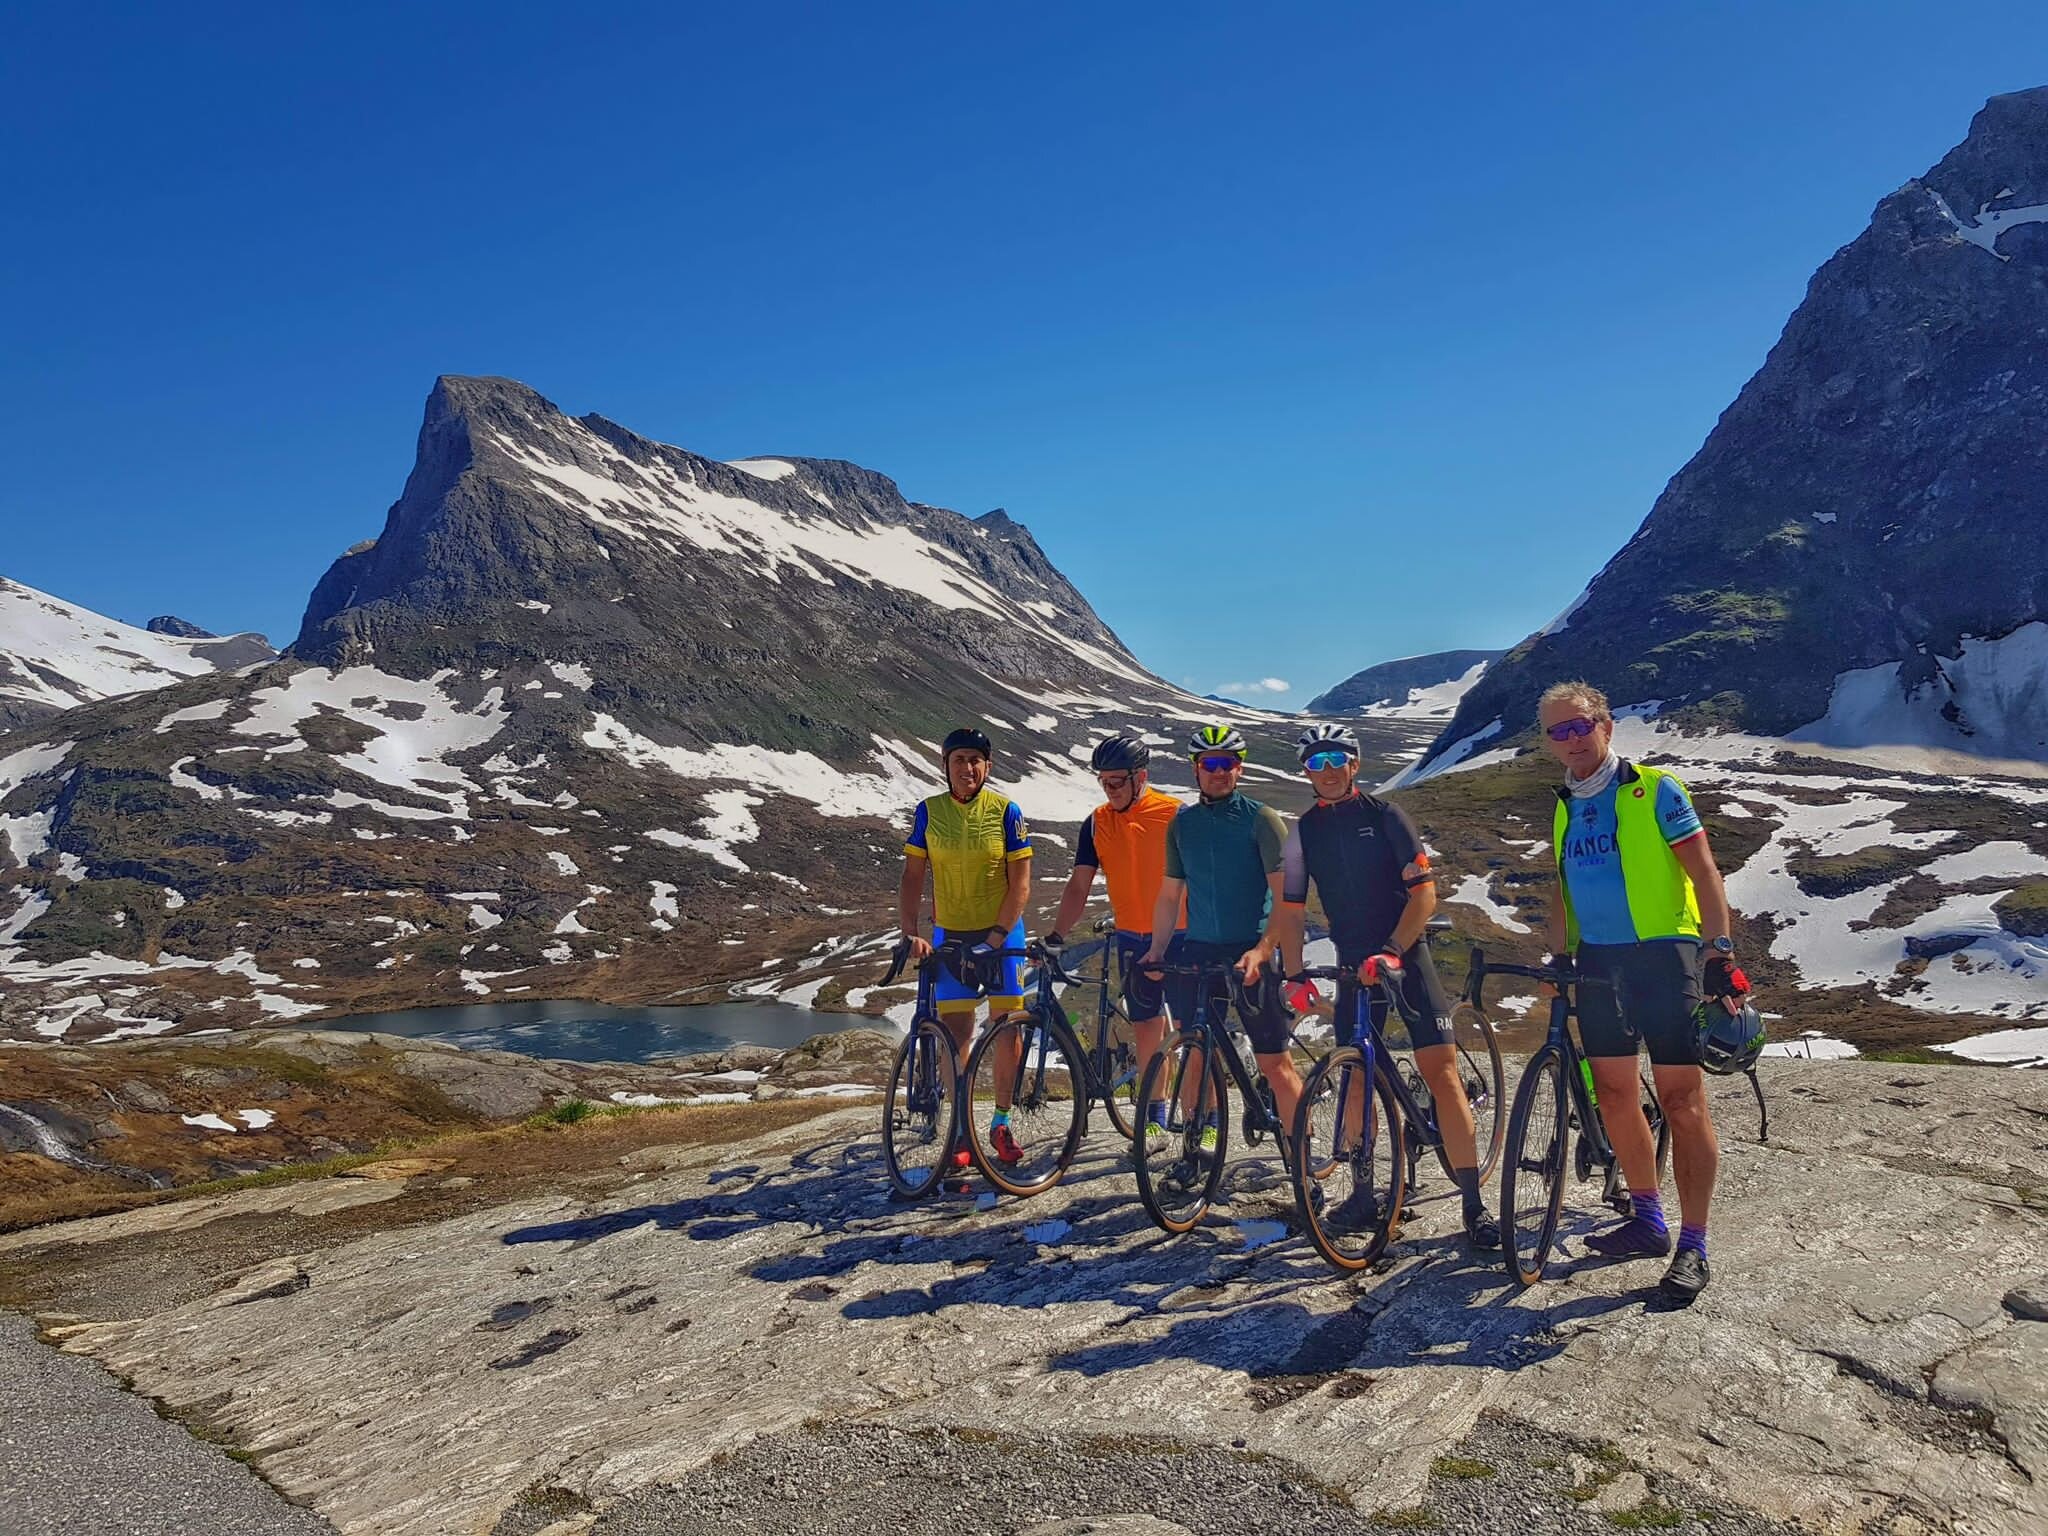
(1349, 1160)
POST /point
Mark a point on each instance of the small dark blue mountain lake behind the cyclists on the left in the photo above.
(574, 1031)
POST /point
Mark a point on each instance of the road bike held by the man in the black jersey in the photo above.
(1367, 1117)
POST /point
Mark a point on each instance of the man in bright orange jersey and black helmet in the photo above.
(1125, 841)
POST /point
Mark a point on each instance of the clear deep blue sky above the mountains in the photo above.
(1302, 337)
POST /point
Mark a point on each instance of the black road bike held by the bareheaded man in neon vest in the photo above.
(1553, 1101)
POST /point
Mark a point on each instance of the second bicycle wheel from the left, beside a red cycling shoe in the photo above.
(1048, 1111)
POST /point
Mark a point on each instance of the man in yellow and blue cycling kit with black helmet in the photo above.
(976, 849)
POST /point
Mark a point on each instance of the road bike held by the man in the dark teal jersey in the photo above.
(1179, 1175)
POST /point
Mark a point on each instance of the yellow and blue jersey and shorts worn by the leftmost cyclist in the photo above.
(972, 849)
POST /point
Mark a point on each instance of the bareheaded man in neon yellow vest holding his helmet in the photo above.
(1639, 902)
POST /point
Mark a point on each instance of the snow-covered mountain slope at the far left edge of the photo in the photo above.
(56, 654)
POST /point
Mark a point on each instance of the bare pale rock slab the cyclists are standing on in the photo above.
(1852, 1367)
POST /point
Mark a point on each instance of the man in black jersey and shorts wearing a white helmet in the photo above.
(1373, 876)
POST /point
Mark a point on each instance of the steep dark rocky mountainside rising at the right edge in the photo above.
(1861, 548)
